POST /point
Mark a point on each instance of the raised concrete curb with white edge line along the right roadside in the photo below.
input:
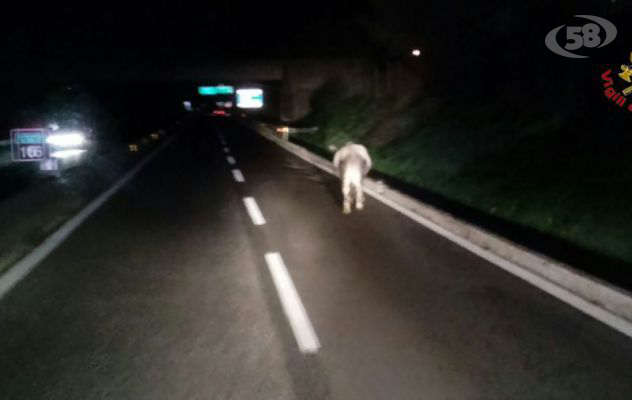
(600, 300)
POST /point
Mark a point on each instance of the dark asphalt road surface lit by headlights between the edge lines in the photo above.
(165, 293)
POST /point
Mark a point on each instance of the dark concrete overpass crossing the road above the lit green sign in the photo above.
(290, 83)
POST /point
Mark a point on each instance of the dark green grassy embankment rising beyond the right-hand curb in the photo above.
(568, 181)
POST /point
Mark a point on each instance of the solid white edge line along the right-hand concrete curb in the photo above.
(594, 310)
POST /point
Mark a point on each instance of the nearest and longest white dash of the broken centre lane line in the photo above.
(292, 305)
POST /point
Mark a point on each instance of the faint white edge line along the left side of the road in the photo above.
(27, 264)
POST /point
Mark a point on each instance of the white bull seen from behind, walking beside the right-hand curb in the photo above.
(352, 162)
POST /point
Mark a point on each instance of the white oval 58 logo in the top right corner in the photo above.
(581, 36)
